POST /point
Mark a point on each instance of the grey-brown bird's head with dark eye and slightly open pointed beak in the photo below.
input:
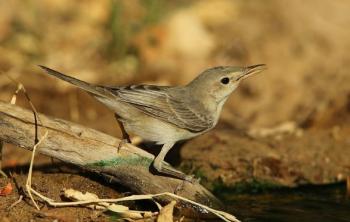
(219, 82)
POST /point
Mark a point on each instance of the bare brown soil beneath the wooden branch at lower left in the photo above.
(51, 185)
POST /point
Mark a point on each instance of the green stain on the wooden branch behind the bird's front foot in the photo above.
(118, 161)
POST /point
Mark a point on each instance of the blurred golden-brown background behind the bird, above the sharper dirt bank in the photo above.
(305, 45)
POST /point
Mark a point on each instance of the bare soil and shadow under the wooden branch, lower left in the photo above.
(50, 179)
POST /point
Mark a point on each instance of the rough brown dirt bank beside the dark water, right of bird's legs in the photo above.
(317, 157)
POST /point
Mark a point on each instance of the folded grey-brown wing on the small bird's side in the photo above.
(158, 103)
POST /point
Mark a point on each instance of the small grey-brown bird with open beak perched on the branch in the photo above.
(168, 114)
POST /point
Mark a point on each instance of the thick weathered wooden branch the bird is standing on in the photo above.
(94, 151)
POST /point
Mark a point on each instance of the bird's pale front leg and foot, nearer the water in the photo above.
(165, 168)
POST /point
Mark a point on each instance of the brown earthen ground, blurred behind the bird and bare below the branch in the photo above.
(288, 126)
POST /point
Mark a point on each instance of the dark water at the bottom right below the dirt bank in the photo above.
(309, 204)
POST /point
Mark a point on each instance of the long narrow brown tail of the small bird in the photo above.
(93, 89)
